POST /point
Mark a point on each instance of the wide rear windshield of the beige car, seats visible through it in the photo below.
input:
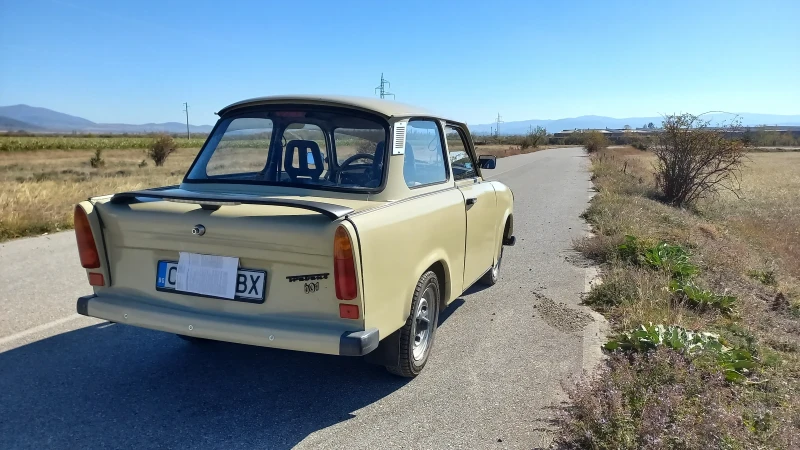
(300, 147)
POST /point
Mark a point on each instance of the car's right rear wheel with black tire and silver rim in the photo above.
(417, 335)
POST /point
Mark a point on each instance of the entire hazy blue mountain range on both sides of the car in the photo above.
(43, 120)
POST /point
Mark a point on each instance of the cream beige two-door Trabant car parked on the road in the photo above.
(319, 224)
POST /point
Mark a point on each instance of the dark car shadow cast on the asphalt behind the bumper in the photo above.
(119, 386)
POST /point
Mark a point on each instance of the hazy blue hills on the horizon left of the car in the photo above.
(32, 118)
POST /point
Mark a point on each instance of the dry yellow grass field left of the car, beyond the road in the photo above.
(38, 189)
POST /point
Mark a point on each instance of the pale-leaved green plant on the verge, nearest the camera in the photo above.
(735, 363)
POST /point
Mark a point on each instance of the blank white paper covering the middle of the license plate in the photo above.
(207, 274)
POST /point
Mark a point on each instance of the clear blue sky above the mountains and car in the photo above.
(137, 62)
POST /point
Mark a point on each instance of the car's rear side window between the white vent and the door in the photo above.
(424, 159)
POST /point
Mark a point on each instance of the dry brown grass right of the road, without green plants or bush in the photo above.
(744, 247)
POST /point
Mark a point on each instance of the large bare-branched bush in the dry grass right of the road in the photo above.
(694, 160)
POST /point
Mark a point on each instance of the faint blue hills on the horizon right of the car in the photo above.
(584, 122)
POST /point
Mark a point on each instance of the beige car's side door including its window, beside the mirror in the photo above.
(481, 244)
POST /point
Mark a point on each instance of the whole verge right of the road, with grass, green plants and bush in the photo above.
(703, 299)
